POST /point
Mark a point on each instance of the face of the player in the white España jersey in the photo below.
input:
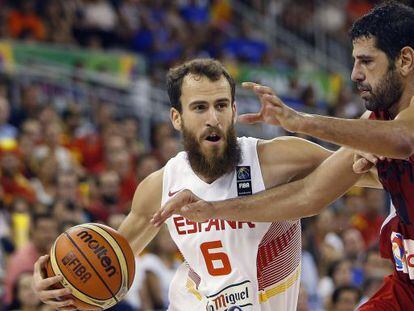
(207, 112)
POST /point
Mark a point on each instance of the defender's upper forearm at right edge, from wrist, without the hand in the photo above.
(393, 139)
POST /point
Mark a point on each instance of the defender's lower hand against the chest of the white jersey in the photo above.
(186, 204)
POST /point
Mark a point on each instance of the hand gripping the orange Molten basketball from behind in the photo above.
(41, 285)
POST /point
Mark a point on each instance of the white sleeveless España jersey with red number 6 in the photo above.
(231, 265)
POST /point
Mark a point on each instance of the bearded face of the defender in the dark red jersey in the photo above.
(378, 83)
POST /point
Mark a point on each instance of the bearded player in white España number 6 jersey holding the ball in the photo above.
(229, 264)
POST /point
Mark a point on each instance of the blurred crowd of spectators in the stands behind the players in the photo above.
(60, 167)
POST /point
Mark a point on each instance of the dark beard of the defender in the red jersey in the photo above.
(387, 93)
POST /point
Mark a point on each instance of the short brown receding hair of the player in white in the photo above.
(210, 68)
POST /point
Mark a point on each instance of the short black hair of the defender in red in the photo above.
(391, 25)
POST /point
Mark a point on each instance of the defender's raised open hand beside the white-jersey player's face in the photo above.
(273, 111)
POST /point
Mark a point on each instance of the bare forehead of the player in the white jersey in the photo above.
(201, 88)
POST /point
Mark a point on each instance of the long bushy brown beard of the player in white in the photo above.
(217, 163)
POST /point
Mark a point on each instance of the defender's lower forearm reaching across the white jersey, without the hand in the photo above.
(301, 198)
